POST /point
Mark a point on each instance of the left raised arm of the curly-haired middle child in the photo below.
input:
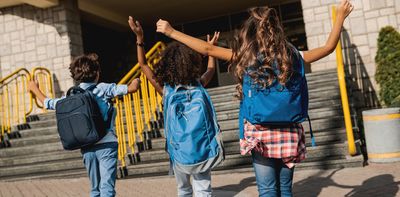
(138, 30)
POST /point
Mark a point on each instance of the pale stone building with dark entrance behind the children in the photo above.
(50, 32)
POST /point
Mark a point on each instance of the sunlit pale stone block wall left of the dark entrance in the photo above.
(31, 37)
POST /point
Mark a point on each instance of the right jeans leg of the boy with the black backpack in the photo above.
(107, 155)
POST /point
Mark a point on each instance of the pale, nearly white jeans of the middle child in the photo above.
(201, 184)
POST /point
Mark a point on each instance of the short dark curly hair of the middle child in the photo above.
(178, 65)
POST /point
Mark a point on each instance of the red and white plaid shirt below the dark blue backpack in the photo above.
(286, 143)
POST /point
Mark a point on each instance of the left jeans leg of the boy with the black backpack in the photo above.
(92, 167)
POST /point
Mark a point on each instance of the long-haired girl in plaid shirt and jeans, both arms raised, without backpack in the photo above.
(260, 51)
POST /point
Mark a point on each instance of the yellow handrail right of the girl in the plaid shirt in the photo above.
(343, 93)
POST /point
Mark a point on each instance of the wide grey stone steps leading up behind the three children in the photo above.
(39, 154)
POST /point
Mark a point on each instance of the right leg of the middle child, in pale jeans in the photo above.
(202, 184)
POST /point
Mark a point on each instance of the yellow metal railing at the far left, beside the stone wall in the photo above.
(16, 103)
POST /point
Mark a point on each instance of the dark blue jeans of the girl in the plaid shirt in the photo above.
(273, 177)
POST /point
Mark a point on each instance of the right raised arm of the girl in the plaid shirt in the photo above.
(343, 11)
